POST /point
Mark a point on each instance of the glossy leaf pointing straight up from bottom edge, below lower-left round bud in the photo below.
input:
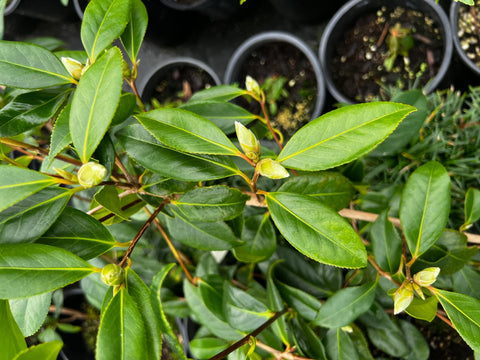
(121, 334)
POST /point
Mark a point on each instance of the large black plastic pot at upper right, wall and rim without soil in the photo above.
(351, 11)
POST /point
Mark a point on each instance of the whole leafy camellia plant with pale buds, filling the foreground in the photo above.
(96, 188)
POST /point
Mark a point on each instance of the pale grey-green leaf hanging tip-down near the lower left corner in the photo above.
(30, 313)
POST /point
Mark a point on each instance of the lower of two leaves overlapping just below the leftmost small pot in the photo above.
(222, 114)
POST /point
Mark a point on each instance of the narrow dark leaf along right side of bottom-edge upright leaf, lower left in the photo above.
(143, 300)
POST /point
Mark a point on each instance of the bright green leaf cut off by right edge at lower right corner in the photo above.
(464, 312)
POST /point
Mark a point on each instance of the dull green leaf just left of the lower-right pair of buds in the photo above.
(346, 305)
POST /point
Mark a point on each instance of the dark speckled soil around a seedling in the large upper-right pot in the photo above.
(358, 67)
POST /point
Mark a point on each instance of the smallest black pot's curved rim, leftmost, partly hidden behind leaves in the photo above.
(165, 70)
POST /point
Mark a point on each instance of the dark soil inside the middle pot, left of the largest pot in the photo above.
(273, 60)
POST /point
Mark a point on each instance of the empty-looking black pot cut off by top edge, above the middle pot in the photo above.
(306, 11)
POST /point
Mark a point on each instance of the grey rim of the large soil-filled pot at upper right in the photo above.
(443, 24)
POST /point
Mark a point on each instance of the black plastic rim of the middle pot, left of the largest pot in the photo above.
(232, 73)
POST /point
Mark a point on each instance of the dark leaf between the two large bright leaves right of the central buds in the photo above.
(333, 189)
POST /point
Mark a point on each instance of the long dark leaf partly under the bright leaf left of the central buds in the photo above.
(146, 150)
